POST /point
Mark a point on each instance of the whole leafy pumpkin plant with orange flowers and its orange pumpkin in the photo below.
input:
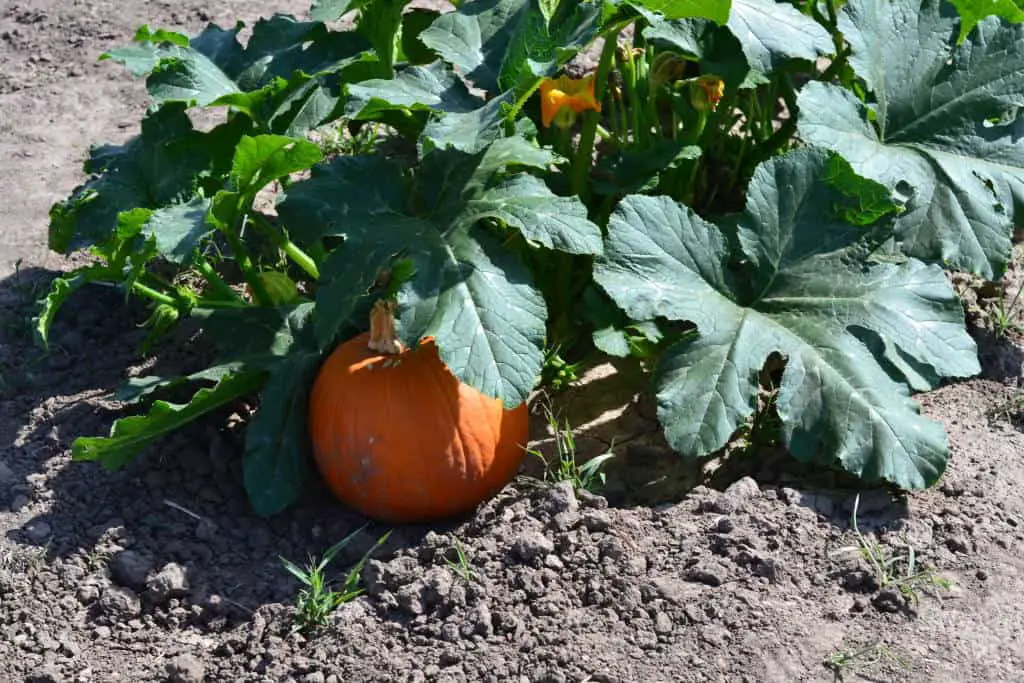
(729, 183)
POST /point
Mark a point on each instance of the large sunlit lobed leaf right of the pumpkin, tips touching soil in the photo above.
(808, 292)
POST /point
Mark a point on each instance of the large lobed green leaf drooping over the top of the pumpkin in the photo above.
(466, 291)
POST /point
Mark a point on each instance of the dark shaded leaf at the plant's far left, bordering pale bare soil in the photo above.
(159, 167)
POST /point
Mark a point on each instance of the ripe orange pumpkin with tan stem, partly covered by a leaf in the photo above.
(399, 438)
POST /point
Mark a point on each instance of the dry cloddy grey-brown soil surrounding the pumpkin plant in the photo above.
(161, 573)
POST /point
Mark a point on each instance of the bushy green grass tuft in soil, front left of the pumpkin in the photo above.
(318, 600)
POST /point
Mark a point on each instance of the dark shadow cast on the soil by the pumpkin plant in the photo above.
(182, 502)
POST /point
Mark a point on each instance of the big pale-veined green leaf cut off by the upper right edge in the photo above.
(947, 123)
